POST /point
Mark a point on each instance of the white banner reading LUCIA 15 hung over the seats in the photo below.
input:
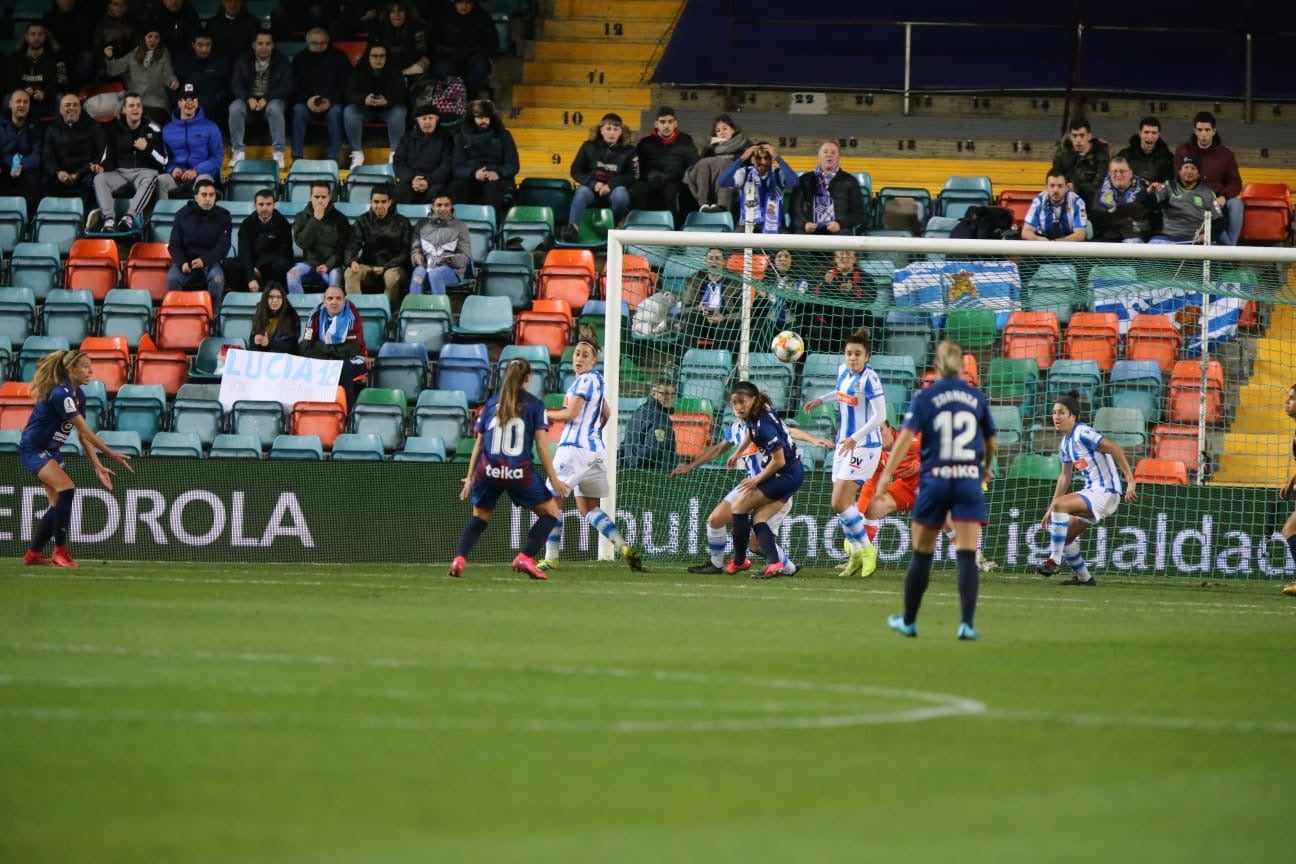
(277, 378)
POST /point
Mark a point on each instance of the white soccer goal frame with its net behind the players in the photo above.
(1183, 354)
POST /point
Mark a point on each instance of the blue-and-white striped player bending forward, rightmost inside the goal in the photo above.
(1071, 514)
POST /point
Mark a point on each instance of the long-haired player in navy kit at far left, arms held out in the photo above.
(60, 409)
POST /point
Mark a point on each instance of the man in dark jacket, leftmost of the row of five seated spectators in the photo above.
(200, 242)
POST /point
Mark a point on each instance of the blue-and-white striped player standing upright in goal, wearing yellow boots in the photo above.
(861, 414)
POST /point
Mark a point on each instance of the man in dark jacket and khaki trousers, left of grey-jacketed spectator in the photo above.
(378, 251)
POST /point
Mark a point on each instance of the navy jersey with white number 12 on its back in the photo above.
(955, 420)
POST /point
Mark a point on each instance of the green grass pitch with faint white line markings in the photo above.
(283, 714)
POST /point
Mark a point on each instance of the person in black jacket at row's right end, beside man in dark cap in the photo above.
(485, 160)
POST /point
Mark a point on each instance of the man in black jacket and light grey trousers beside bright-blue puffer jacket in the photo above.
(137, 153)
